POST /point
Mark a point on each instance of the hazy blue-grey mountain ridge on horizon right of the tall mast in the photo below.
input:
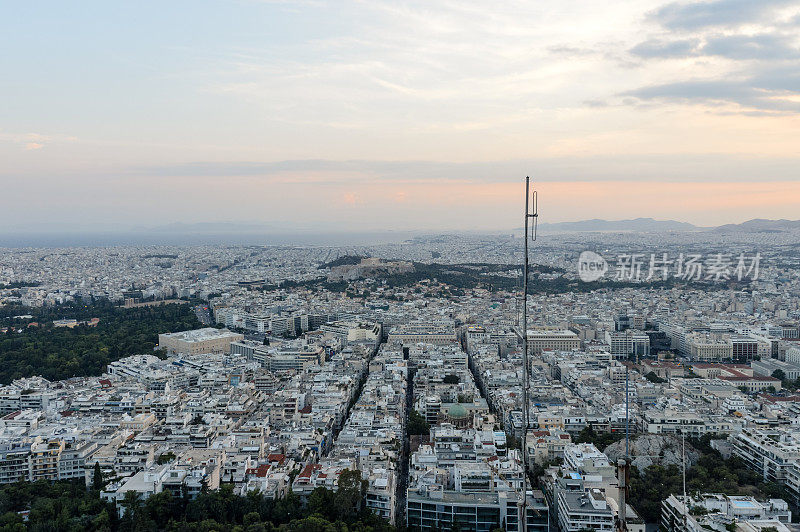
(649, 225)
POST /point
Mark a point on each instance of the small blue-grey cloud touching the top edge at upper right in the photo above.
(716, 13)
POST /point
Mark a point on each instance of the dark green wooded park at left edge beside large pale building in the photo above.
(61, 352)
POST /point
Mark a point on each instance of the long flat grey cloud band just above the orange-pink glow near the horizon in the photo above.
(331, 173)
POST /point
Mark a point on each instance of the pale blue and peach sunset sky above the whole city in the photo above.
(415, 115)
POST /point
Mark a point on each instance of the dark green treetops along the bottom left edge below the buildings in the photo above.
(69, 506)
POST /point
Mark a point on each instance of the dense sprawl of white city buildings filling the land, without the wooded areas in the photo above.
(290, 384)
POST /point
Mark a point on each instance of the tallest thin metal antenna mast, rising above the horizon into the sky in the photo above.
(529, 214)
